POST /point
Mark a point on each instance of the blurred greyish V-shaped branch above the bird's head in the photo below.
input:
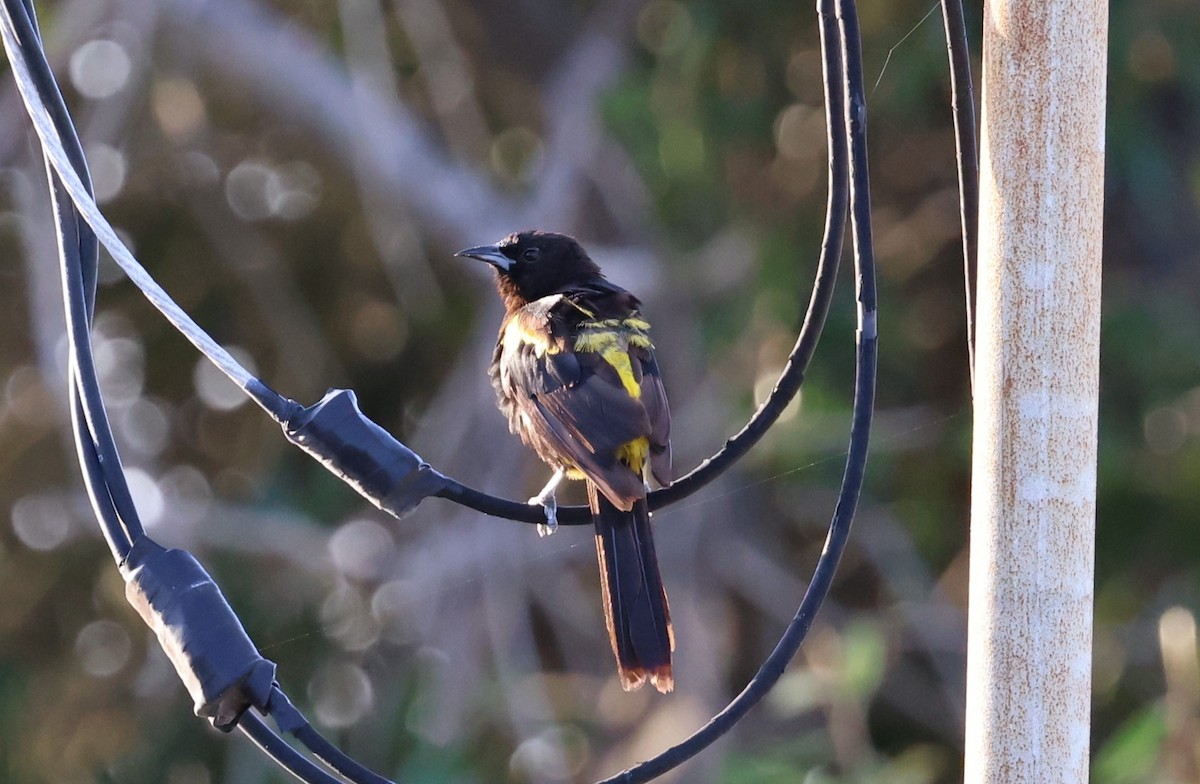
(382, 139)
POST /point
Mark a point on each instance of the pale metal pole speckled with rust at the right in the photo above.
(1034, 487)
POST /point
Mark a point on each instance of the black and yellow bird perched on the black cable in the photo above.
(575, 374)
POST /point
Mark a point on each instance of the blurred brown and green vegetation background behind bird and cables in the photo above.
(298, 176)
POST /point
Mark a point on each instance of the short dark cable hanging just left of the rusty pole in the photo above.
(968, 154)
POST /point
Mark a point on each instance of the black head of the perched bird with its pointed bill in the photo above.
(533, 265)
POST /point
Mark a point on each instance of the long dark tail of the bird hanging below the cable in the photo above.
(635, 605)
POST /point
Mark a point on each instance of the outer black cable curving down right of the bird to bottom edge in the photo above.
(843, 39)
